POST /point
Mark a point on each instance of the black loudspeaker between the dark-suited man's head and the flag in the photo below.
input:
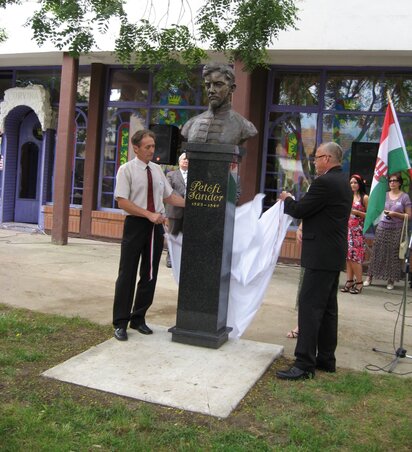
(363, 161)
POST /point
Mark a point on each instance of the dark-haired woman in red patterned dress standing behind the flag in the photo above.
(356, 239)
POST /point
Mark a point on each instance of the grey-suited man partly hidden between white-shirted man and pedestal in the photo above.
(177, 179)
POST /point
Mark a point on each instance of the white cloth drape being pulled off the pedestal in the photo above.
(257, 241)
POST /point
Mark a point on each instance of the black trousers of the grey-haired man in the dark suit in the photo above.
(317, 320)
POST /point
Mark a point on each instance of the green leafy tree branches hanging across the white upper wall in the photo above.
(241, 29)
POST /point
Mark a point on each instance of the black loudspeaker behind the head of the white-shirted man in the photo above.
(167, 141)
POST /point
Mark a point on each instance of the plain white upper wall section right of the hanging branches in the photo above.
(350, 25)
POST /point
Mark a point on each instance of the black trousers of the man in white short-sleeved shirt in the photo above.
(141, 240)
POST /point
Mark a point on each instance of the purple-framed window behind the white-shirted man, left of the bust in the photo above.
(134, 103)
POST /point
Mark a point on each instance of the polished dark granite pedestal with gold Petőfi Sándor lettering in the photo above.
(207, 245)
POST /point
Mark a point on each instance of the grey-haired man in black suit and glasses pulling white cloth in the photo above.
(325, 212)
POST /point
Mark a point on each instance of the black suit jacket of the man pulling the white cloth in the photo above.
(325, 212)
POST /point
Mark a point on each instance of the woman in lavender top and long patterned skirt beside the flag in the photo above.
(385, 262)
